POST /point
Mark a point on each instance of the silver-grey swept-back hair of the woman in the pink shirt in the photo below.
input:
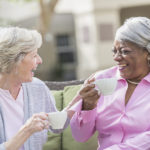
(135, 30)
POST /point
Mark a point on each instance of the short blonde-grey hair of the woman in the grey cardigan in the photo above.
(15, 43)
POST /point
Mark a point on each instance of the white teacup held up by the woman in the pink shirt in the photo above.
(106, 86)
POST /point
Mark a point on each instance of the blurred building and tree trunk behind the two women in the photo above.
(77, 34)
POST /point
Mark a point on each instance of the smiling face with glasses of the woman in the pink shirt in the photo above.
(131, 60)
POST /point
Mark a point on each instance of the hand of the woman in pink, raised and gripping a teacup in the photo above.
(89, 95)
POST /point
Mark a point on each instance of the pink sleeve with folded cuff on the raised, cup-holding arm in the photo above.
(82, 123)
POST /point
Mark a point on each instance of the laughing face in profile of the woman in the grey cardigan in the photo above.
(24, 69)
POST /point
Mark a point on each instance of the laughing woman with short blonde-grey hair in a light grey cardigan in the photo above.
(24, 100)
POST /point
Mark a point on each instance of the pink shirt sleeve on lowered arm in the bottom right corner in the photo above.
(139, 142)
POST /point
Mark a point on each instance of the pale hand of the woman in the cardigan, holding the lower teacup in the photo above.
(37, 122)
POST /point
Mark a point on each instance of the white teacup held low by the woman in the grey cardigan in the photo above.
(57, 119)
